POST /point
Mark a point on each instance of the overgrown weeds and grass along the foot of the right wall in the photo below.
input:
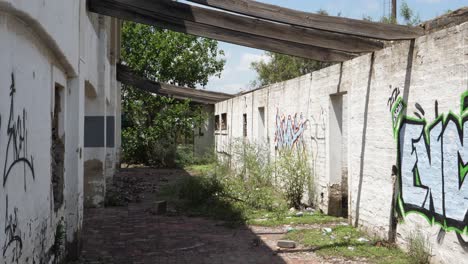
(249, 195)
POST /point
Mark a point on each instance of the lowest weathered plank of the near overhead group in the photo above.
(121, 9)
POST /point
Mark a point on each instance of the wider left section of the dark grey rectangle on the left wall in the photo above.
(94, 132)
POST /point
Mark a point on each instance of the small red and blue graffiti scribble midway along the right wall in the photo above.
(289, 130)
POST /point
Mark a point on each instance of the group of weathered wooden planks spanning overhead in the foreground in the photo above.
(262, 26)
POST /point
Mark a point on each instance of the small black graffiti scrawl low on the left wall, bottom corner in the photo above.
(13, 241)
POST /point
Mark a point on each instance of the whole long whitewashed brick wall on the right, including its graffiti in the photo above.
(429, 75)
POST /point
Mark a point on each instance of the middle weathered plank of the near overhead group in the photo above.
(258, 27)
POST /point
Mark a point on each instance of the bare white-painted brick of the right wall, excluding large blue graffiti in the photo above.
(436, 69)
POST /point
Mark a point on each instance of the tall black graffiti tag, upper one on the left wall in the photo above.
(16, 150)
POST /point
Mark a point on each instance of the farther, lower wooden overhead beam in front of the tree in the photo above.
(127, 76)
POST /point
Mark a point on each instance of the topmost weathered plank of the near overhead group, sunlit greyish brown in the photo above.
(330, 23)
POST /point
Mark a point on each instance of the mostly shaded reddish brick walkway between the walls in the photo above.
(132, 234)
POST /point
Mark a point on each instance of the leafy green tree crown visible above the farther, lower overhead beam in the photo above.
(170, 57)
